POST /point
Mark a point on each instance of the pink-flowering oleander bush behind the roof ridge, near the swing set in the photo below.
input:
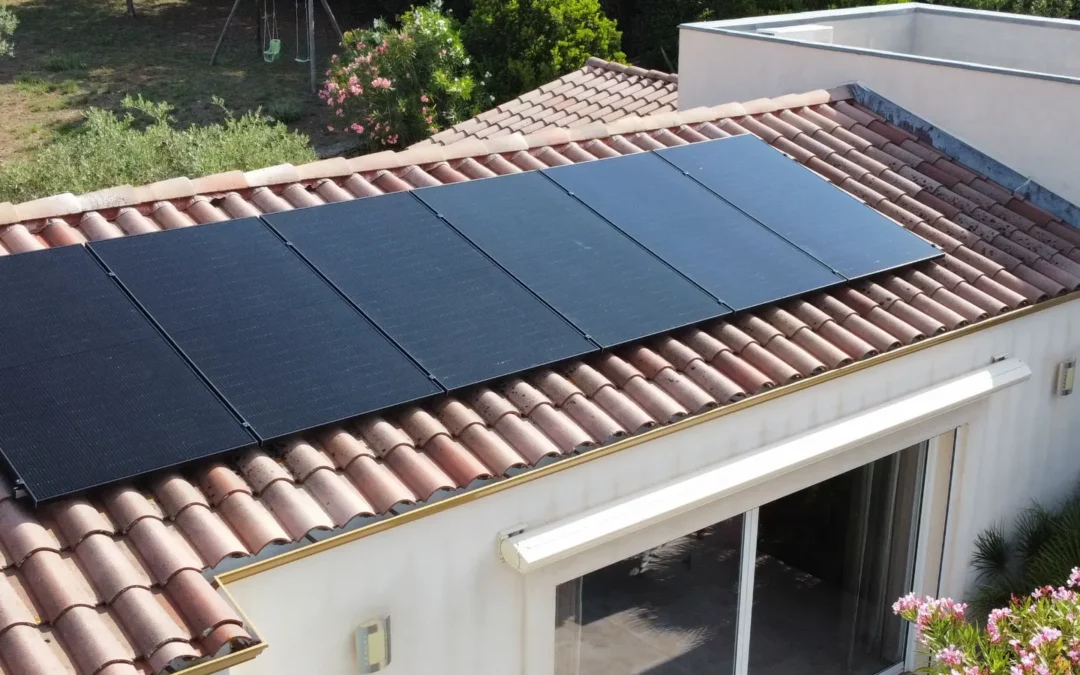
(395, 87)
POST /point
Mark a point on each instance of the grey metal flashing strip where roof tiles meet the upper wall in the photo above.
(968, 155)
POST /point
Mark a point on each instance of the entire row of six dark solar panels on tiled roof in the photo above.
(133, 355)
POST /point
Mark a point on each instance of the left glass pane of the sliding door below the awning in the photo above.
(671, 611)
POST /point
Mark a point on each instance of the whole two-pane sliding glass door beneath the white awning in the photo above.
(800, 586)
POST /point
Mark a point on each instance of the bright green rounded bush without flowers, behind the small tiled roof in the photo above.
(525, 44)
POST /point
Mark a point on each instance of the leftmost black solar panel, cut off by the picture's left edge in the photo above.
(90, 391)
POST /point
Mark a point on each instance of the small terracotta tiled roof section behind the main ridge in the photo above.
(601, 92)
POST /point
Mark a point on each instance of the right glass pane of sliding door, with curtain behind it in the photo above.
(831, 560)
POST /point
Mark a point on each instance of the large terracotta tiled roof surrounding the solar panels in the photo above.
(114, 584)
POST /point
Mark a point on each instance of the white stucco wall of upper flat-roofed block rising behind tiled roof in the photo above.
(1028, 124)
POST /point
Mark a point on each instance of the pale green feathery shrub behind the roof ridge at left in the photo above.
(112, 150)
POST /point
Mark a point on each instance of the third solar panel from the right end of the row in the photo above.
(604, 282)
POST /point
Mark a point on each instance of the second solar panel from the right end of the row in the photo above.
(710, 241)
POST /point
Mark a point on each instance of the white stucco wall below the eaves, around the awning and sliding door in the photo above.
(456, 610)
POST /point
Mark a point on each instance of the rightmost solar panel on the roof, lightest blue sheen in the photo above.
(832, 226)
